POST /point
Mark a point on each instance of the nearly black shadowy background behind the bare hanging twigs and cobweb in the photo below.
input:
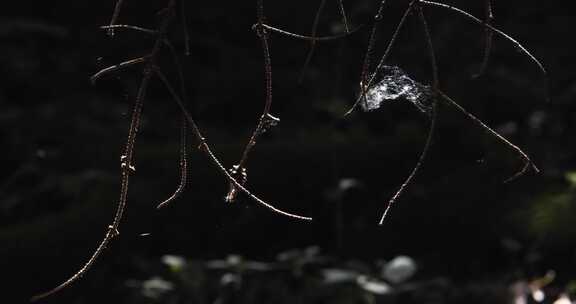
(61, 140)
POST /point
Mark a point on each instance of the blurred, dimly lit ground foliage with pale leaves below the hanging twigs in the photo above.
(305, 276)
